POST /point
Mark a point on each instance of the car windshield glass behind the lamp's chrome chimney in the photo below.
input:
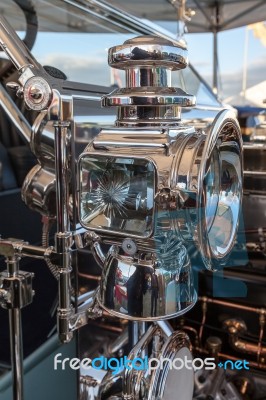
(75, 38)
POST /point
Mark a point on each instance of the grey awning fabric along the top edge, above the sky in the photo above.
(211, 15)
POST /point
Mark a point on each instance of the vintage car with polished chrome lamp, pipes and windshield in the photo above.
(132, 241)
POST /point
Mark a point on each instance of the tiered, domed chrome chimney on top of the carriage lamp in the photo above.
(148, 98)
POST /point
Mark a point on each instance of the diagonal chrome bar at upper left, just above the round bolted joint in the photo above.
(14, 48)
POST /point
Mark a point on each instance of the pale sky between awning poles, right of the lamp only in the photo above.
(231, 45)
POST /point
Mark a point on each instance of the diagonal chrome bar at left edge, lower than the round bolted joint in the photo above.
(14, 114)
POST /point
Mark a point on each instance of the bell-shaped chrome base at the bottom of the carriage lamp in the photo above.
(158, 287)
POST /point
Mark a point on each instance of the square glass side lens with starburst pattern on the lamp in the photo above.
(117, 194)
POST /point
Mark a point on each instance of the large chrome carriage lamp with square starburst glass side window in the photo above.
(152, 184)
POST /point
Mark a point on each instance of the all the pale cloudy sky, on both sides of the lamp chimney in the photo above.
(83, 56)
